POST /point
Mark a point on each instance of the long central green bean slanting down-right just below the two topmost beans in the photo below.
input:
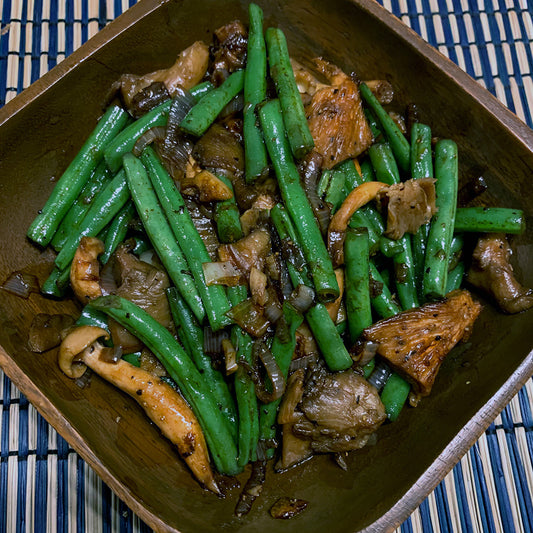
(296, 202)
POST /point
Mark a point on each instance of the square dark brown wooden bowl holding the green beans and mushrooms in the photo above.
(43, 128)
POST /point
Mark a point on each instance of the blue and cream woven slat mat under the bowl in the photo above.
(46, 486)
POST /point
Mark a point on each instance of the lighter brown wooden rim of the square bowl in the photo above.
(464, 439)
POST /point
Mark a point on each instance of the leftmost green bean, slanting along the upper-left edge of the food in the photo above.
(69, 186)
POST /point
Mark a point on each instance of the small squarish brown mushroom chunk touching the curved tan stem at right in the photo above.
(409, 205)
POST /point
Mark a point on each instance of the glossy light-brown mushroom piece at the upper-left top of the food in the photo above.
(187, 71)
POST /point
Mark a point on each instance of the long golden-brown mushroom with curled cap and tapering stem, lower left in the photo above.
(163, 405)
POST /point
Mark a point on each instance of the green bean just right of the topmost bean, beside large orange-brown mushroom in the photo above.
(298, 133)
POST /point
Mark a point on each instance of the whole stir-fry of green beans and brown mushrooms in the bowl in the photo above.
(267, 259)
